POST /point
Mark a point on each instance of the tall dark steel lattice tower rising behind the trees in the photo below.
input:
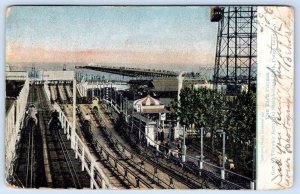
(236, 50)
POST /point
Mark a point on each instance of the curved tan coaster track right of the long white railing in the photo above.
(134, 174)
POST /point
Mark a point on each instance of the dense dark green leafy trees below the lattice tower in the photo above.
(236, 115)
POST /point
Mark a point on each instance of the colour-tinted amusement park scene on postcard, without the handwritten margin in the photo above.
(134, 97)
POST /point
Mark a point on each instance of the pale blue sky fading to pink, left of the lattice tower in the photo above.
(140, 36)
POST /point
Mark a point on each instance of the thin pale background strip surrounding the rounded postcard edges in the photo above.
(5, 3)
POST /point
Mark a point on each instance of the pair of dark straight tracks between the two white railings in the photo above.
(45, 157)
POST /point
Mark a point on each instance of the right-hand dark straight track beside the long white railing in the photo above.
(64, 168)
